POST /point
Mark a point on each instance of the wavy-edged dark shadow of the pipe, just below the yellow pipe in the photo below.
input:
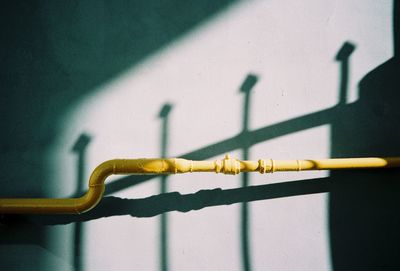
(174, 201)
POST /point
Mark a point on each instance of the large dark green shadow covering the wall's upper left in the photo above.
(53, 53)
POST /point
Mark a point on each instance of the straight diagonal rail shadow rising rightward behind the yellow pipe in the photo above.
(242, 140)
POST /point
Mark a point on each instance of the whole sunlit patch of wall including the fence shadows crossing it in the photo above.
(256, 79)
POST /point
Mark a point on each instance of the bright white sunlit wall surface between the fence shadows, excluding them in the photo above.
(291, 47)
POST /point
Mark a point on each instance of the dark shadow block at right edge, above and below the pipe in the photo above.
(364, 217)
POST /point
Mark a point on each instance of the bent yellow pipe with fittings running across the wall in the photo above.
(178, 165)
